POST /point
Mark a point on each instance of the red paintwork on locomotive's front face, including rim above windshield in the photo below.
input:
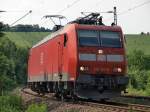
(103, 67)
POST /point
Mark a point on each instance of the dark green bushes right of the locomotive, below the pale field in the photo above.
(138, 70)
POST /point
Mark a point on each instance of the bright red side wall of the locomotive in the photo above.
(56, 57)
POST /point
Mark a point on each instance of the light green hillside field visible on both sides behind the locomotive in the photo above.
(27, 39)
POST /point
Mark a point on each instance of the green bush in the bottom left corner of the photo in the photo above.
(10, 103)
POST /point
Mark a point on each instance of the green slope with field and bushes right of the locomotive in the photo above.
(141, 75)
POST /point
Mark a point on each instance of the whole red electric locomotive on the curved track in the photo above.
(83, 59)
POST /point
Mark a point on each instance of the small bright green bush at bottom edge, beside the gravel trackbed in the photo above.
(37, 108)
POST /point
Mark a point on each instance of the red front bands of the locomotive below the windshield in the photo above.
(103, 67)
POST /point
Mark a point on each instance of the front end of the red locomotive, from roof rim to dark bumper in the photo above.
(101, 61)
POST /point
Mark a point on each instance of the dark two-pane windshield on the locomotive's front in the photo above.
(99, 38)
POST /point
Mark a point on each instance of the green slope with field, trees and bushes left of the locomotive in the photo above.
(13, 59)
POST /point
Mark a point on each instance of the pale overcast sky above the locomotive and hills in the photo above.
(133, 15)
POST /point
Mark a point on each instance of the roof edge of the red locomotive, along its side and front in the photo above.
(61, 31)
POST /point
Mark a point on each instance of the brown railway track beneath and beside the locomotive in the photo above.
(107, 106)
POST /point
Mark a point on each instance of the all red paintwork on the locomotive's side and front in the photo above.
(52, 57)
